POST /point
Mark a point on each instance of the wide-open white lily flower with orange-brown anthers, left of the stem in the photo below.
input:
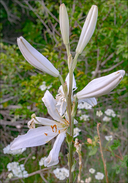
(41, 135)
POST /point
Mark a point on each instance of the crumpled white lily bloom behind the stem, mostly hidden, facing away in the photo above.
(61, 100)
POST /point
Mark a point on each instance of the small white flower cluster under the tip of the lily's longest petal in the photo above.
(7, 150)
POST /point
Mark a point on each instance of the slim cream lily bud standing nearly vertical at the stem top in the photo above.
(64, 23)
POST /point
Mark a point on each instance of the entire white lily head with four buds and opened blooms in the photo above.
(58, 125)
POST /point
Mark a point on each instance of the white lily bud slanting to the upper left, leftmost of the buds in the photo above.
(35, 58)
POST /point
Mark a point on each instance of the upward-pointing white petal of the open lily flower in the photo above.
(50, 103)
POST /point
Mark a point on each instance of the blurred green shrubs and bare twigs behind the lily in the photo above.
(37, 21)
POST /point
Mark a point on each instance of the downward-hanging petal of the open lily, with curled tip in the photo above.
(52, 159)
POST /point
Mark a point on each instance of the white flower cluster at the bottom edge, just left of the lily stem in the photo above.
(61, 173)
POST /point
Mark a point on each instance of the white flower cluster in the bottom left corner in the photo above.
(17, 170)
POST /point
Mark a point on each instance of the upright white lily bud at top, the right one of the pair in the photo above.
(88, 29)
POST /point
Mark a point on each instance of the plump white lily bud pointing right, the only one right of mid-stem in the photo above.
(101, 86)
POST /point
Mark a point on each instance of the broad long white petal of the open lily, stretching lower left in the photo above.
(34, 137)
